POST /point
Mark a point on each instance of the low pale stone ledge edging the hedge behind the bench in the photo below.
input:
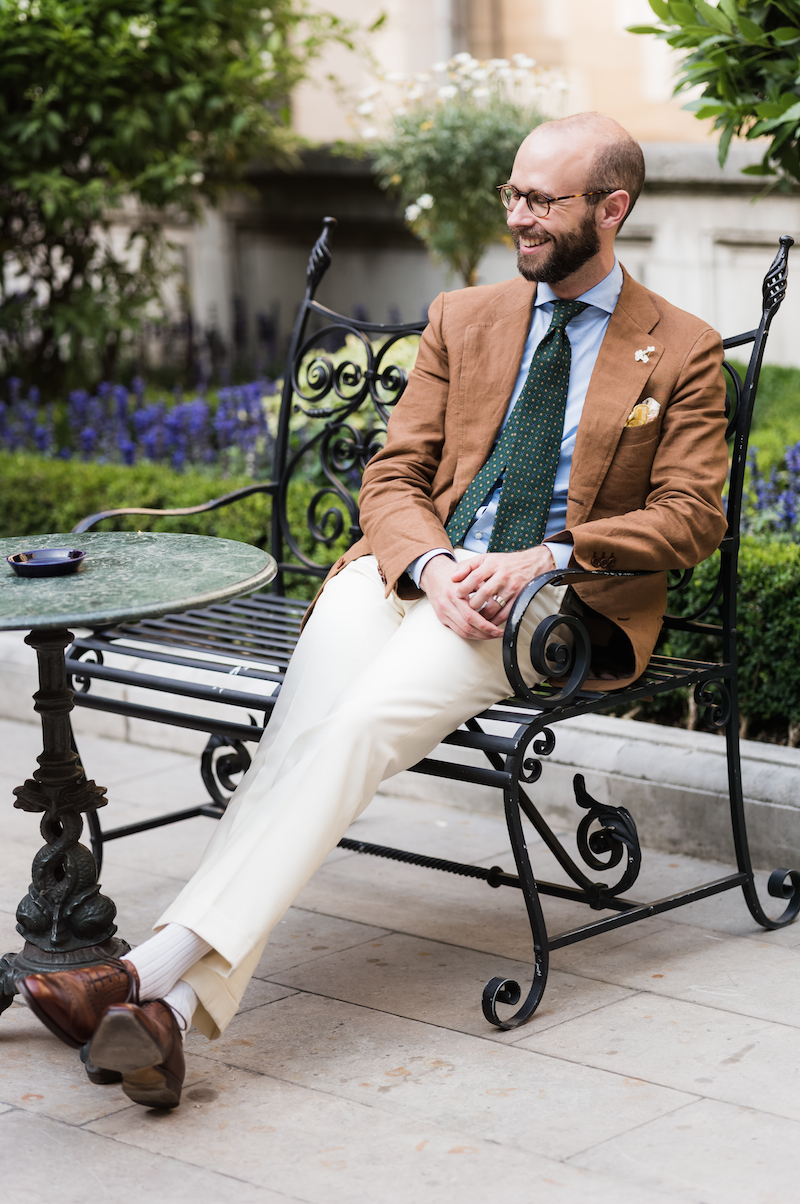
(674, 782)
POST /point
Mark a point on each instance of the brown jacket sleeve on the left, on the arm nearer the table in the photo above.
(397, 511)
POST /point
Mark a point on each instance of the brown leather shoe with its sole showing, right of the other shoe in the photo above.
(143, 1042)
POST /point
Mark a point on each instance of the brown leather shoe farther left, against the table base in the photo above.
(72, 1004)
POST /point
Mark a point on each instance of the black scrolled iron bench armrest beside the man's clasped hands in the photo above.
(562, 662)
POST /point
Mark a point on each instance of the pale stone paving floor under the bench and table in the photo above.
(664, 1064)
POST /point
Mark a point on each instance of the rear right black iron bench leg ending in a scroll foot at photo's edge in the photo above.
(721, 701)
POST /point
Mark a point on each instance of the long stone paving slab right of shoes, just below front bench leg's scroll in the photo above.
(443, 1077)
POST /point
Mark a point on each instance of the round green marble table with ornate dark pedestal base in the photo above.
(126, 576)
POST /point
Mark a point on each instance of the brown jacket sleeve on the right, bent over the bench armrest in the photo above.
(683, 520)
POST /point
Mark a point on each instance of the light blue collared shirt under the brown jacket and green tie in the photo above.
(586, 334)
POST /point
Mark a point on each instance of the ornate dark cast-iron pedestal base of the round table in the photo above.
(64, 918)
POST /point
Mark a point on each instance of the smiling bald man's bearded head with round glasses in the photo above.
(573, 243)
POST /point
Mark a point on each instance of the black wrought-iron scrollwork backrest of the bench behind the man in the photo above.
(345, 376)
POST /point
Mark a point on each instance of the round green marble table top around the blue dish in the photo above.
(128, 576)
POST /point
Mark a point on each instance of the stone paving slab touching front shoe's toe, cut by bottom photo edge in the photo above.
(323, 1148)
